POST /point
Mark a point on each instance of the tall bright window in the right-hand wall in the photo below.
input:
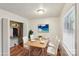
(69, 31)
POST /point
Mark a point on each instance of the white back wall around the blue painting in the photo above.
(54, 27)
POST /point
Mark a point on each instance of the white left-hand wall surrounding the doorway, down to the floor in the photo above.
(7, 17)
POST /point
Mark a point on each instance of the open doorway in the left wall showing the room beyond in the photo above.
(16, 33)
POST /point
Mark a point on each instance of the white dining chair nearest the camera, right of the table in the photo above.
(53, 47)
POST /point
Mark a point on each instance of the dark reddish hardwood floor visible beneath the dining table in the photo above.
(38, 51)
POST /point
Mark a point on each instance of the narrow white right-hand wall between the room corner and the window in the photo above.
(63, 13)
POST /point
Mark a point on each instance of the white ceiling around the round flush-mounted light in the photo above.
(27, 10)
